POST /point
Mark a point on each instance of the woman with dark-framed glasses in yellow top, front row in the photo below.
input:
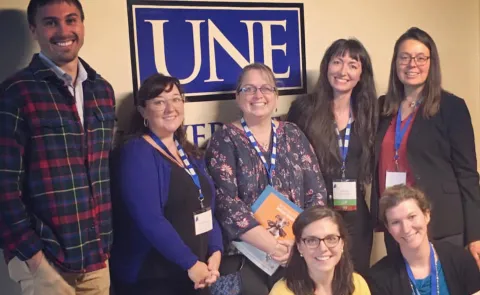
(319, 265)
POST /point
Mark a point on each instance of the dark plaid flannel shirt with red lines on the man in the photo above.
(54, 178)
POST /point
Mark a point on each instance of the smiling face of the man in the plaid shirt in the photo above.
(59, 31)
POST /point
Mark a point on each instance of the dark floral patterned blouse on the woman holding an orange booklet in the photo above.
(240, 176)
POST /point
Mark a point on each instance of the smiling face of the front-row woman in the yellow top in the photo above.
(321, 258)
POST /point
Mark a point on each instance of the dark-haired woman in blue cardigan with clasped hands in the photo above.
(166, 238)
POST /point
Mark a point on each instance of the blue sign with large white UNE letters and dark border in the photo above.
(206, 44)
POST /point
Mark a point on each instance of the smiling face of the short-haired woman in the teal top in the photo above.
(408, 224)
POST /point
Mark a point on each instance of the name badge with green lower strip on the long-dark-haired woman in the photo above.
(345, 194)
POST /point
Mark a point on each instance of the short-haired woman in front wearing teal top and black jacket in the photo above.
(420, 267)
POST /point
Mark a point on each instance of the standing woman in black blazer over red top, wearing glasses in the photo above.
(437, 149)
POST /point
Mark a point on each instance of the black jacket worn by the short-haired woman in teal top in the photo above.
(389, 275)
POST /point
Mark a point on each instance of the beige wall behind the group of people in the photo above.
(454, 24)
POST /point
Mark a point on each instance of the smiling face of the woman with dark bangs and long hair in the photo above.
(343, 74)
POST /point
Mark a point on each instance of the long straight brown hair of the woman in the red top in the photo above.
(433, 85)
